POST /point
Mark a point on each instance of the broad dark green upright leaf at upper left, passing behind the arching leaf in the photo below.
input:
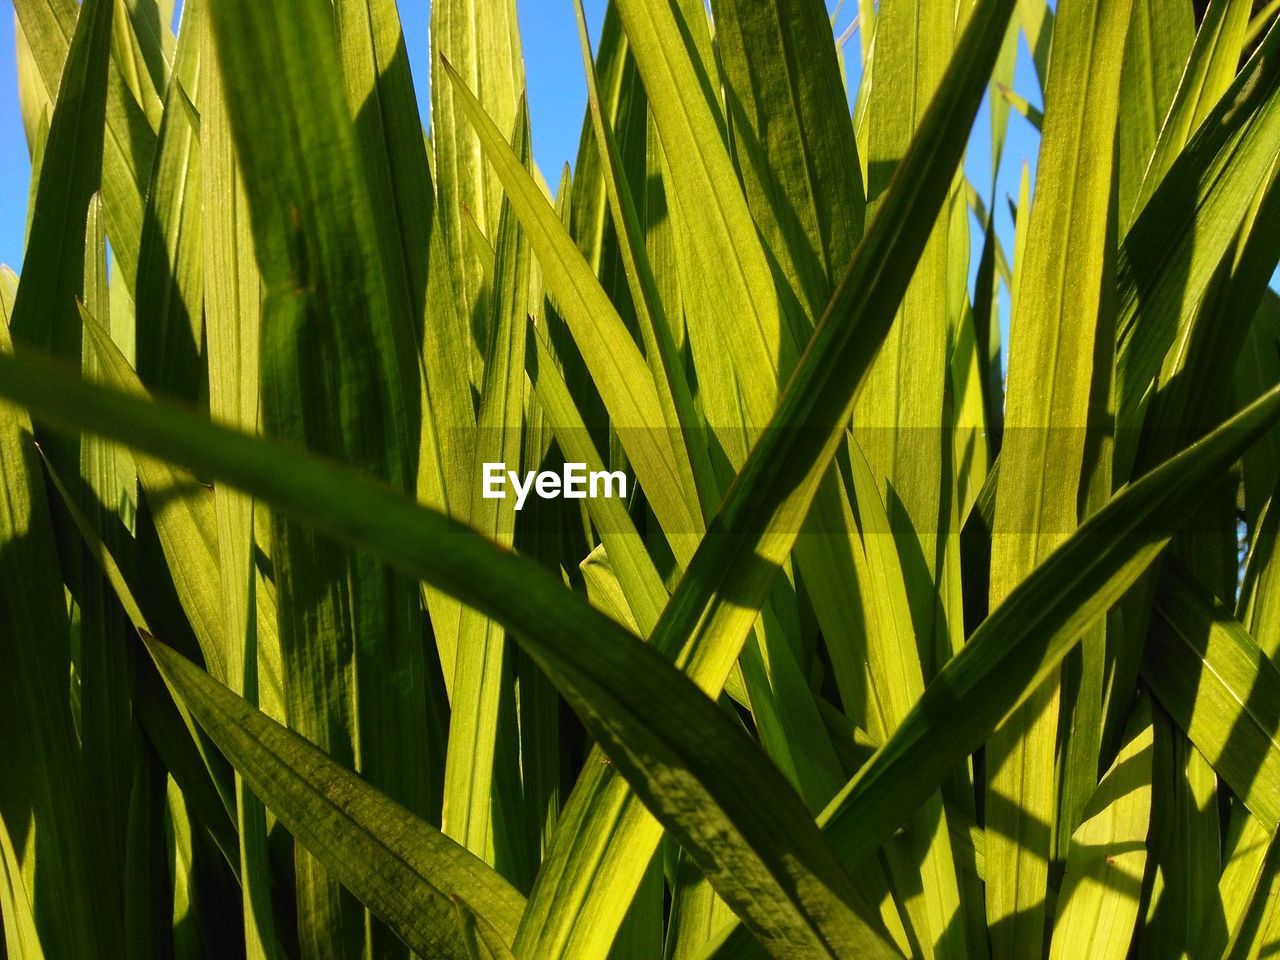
(340, 377)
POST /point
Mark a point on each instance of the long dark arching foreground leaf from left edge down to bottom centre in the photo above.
(716, 793)
